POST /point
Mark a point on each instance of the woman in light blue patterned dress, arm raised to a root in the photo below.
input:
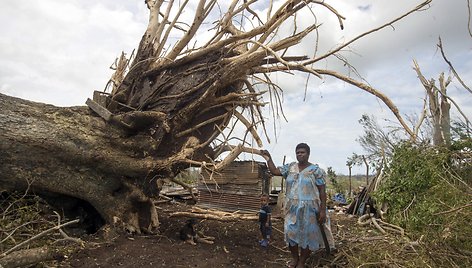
(305, 205)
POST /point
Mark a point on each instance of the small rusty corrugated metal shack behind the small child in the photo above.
(237, 188)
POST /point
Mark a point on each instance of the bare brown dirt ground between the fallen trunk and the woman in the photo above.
(236, 245)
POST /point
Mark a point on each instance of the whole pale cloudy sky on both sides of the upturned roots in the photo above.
(59, 52)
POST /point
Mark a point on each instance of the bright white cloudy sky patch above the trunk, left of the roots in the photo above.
(59, 52)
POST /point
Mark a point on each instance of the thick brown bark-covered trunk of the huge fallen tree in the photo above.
(70, 154)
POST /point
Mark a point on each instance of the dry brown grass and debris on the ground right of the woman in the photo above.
(364, 246)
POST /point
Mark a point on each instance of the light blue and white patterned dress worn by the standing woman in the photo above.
(302, 202)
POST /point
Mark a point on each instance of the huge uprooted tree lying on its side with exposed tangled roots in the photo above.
(168, 103)
